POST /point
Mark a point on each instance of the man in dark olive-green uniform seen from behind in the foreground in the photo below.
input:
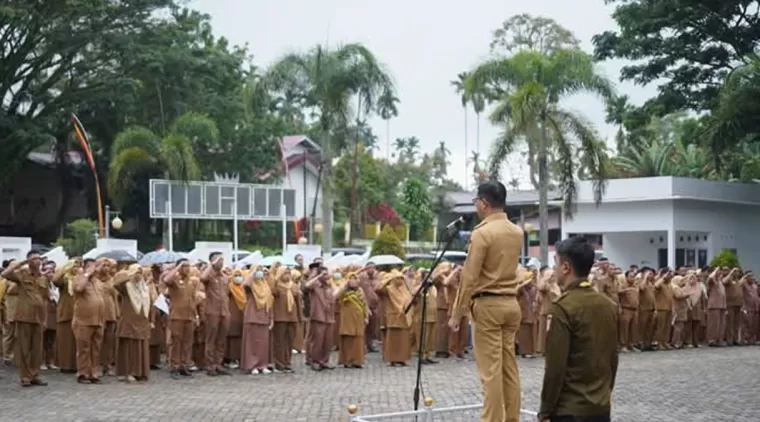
(581, 346)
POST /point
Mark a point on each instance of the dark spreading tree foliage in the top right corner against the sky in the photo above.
(688, 46)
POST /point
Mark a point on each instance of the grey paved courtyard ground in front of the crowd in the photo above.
(705, 385)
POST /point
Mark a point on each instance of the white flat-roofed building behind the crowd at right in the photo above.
(670, 221)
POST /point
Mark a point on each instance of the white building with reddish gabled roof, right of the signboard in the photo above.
(302, 156)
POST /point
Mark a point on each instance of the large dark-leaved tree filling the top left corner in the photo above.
(54, 55)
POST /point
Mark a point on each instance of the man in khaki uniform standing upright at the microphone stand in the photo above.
(488, 290)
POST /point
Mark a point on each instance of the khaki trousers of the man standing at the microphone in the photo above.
(496, 320)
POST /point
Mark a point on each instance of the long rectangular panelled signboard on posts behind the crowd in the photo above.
(220, 201)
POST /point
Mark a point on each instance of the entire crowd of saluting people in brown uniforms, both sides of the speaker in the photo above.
(100, 317)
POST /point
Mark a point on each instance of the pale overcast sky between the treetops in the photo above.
(424, 44)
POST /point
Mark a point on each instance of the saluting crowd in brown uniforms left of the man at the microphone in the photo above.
(100, 317)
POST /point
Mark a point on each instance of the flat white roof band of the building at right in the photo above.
(668, 188)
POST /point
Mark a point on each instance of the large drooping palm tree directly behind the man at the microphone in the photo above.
(534, 83)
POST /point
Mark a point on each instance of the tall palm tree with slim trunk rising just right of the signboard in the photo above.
(329, 81)
